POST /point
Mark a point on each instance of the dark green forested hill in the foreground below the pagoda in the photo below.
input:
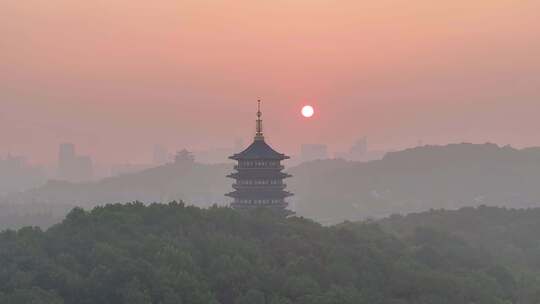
(136, 254)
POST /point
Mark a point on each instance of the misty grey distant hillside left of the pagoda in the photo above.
(196, 183)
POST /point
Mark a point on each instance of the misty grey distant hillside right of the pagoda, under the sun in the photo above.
(418, 179)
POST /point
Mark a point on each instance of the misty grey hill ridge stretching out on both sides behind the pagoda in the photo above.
(328, 191)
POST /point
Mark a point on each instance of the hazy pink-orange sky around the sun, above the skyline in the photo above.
(118, 76)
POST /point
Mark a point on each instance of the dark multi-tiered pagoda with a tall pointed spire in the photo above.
(259, 177)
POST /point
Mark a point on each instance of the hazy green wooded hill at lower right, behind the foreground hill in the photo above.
(506, 237)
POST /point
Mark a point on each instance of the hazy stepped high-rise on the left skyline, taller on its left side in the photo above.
(72, 167)
